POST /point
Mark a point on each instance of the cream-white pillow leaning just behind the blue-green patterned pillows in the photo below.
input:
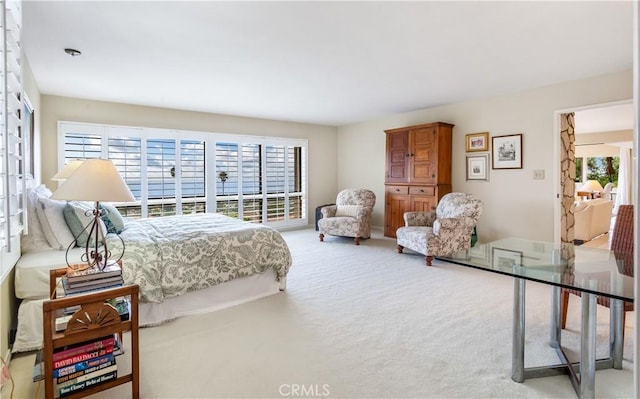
(53, 224)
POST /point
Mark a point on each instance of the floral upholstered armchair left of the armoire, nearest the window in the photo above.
(350, 216)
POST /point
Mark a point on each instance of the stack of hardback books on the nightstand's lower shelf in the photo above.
(81, 366)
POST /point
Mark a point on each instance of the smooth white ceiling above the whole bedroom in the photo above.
(330, 63)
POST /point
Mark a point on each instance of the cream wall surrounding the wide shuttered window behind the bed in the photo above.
(322, 139)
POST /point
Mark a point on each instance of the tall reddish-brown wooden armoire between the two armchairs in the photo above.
(418, 170)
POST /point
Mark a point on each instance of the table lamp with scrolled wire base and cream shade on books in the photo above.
(95, 180)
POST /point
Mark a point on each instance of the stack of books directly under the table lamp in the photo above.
(80, 280)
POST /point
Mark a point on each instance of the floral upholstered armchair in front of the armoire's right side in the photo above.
(444, 231)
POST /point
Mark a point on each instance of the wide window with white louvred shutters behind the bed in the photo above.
(257, 179)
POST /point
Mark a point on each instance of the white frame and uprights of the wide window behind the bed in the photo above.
(210, 139)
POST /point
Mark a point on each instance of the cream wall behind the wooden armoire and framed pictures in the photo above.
(514, 203)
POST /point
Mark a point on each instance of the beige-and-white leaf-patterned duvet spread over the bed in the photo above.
(169, 256)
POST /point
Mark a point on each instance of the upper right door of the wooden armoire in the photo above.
(424, 155)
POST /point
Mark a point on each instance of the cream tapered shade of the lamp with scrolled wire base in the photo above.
(95, 180)
